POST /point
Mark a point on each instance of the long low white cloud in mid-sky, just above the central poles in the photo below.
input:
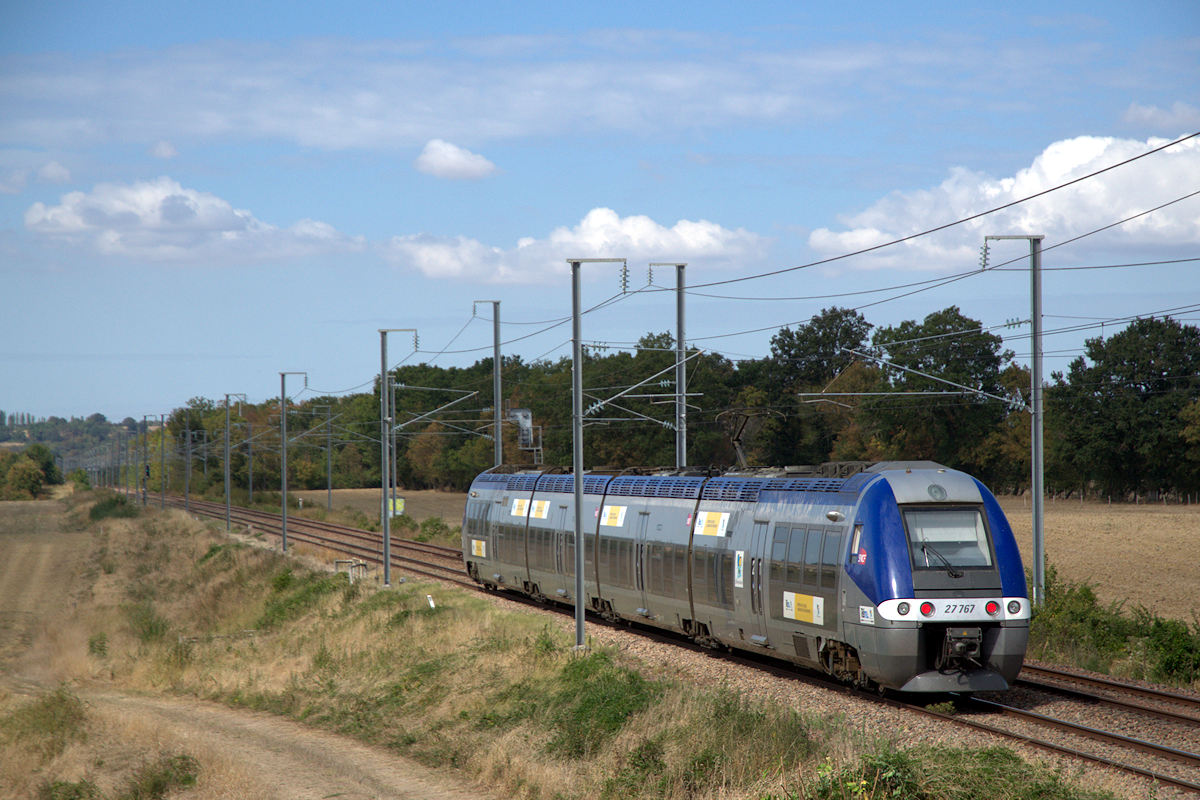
(601, 234)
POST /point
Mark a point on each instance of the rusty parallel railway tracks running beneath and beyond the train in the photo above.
(1145, 732)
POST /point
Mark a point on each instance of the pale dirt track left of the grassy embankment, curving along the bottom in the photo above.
(45, 572)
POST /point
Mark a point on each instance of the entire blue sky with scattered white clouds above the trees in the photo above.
(197, 197)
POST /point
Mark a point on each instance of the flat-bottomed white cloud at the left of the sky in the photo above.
(161, 221)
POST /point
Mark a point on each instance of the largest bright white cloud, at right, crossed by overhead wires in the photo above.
(1061, 215)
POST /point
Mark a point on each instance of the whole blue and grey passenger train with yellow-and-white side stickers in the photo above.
(891, 575)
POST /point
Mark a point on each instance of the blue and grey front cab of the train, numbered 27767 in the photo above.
(937, 599)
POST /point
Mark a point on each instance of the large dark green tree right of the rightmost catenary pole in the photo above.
(1119, 413)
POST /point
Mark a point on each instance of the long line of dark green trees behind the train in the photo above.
(1123, 420)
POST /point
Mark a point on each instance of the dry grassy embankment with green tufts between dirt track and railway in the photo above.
(178, 609)
